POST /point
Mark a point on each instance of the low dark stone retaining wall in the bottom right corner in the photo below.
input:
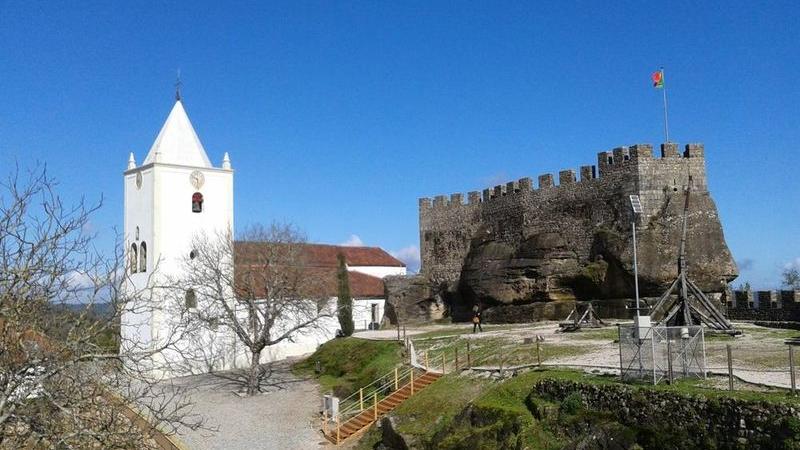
(726, 421)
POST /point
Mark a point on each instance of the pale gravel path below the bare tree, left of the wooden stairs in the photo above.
(282, 418)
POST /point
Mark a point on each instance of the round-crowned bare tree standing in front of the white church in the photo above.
(271, 293)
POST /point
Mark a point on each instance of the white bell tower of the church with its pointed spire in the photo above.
(175, 195)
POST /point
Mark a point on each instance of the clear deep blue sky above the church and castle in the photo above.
(339, 115)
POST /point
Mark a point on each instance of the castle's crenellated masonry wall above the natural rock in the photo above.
(508, 212)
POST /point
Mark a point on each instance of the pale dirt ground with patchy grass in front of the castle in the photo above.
(759, 354)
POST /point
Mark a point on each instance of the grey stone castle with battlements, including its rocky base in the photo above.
(516, 244)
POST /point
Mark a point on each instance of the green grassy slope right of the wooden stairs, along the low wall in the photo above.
(464, 412)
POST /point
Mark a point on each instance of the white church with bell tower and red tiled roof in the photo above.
(176, 194)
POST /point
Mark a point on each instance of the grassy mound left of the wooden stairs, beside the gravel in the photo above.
(349, 363)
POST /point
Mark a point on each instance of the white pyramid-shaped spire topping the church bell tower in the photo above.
(177, 142)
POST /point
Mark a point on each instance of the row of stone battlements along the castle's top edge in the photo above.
(628, 159)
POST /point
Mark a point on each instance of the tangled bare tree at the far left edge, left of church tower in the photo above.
(64, 380)
